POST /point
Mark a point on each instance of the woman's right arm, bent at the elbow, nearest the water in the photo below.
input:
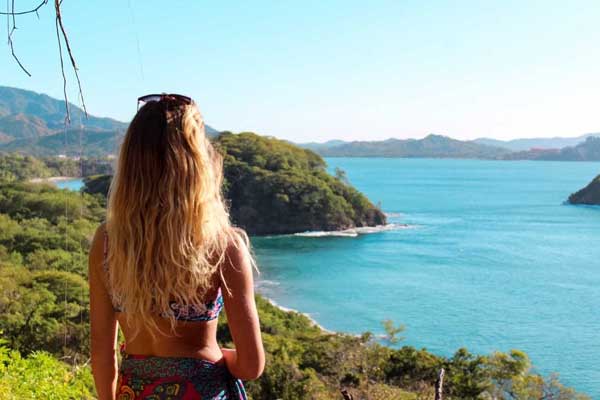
(248, 360)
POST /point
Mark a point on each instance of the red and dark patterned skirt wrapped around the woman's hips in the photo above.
(176, 378)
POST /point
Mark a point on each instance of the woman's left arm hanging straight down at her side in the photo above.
(103, 324)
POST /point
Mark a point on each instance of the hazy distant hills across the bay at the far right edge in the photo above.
(589, 150)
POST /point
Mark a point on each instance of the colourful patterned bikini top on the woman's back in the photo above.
(182, 312)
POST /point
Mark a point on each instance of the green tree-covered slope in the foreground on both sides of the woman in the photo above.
(45, 236)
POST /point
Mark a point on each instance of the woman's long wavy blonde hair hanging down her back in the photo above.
(168, 227)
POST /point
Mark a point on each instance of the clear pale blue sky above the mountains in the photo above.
(319, 70)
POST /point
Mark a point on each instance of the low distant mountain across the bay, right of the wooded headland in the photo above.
(432, 146)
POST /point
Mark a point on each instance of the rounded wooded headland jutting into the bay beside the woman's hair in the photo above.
(277, 187)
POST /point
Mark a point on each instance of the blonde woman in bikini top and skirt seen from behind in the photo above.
(165, 263)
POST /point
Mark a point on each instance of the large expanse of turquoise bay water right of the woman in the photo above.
(492, 260)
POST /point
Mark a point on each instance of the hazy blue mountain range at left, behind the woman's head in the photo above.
(33, 123)
